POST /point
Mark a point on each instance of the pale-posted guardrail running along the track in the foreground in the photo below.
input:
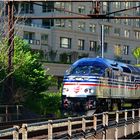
(103, 125)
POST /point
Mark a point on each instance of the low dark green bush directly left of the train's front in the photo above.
(45, 103)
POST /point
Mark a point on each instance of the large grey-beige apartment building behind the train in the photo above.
(66, 40)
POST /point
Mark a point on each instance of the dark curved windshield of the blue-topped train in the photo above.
(86, 70)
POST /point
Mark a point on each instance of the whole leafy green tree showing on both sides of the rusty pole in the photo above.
(28, 73)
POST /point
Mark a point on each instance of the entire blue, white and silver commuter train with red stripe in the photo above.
(100, 84)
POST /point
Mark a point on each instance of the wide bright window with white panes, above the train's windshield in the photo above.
(65, 42)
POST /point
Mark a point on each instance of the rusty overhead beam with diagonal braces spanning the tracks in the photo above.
(97, 14)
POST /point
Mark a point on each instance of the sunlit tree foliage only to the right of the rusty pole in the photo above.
(30, 75)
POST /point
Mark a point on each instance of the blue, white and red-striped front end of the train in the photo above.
(79, 86)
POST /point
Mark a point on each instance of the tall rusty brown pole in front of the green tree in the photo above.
(9, 82)
